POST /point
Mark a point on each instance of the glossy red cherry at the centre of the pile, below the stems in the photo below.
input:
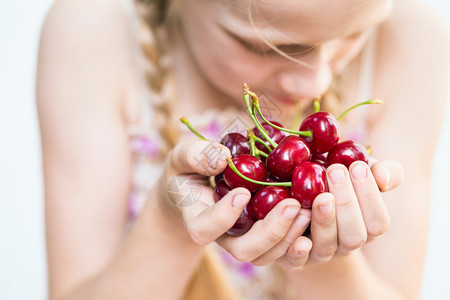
(290, 152)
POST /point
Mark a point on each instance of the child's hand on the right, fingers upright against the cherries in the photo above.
(352, 214)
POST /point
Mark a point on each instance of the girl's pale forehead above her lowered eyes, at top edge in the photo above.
(309, 21)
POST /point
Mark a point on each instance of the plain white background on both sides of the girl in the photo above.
(22, 250)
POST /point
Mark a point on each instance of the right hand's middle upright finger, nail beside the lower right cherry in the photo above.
(352, 233)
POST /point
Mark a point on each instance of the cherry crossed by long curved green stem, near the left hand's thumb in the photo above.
(249, 166)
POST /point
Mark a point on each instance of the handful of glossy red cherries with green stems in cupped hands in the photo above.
(275, 163)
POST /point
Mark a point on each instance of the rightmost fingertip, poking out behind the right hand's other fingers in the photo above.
(388, 174)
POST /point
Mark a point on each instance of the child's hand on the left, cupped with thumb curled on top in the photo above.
(188, 168)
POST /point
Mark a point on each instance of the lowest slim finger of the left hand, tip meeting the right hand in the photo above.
(296, 230)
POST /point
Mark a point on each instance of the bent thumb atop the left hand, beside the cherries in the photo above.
(202, 157)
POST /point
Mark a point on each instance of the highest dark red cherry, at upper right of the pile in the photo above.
(325, 131)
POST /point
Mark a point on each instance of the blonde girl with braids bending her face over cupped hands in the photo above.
(113, 78)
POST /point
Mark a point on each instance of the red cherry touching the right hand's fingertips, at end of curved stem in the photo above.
(308, 181)
